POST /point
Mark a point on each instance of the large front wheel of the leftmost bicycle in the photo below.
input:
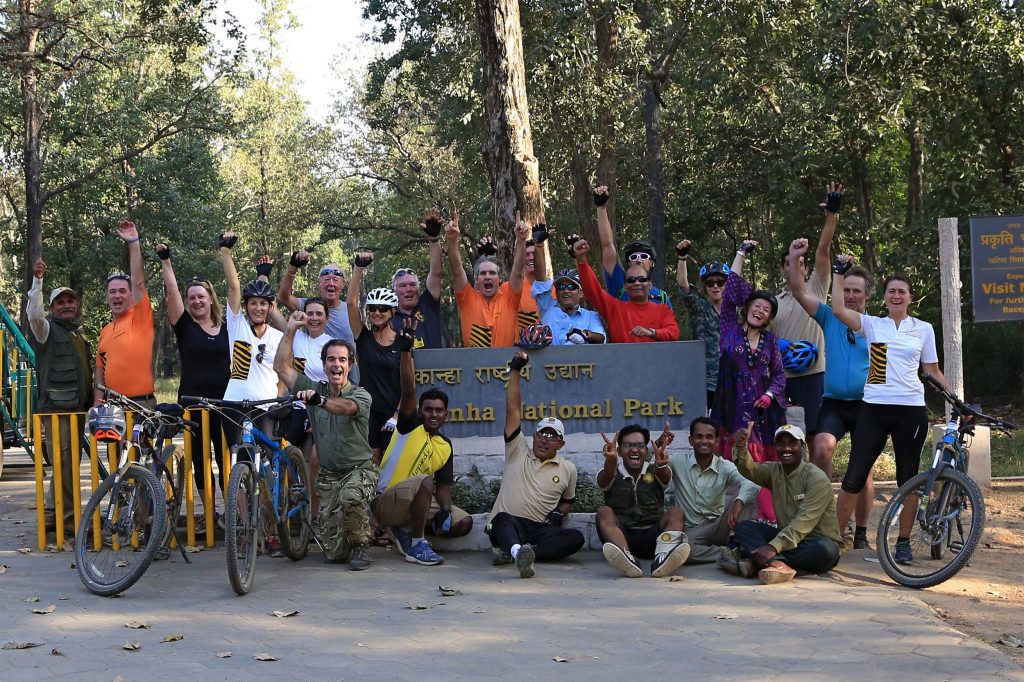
(131, 532)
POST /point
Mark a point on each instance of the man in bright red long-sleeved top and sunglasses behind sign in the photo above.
(635, 321)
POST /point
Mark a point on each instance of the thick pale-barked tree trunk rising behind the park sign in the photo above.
(508, 151)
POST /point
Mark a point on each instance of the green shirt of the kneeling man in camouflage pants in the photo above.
(343, 442)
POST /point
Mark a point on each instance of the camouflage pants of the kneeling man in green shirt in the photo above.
(345, 513)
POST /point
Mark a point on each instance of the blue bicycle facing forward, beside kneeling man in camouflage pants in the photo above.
(263, 471)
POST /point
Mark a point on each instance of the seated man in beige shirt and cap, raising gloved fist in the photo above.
(538, 489)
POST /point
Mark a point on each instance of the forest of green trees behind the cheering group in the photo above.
(715, 122)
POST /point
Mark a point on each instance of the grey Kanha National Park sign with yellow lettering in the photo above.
(590, 389)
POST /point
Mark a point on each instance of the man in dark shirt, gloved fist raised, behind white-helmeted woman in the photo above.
(422, 306)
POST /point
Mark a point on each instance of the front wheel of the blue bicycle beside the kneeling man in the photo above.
(241, 522)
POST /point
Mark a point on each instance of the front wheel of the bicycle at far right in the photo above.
(946, 532)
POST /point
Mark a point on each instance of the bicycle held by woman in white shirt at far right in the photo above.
(950, 508)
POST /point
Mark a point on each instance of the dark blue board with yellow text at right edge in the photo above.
(998, 268)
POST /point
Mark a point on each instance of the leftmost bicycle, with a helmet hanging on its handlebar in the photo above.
(137, 519)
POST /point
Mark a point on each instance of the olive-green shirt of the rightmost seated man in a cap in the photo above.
(804, 502)
